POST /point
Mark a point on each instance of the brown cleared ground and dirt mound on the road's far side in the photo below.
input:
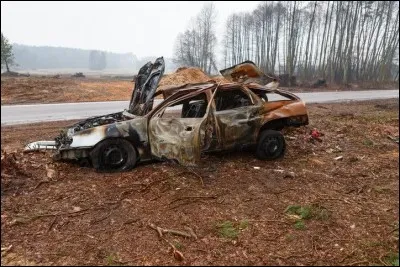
(37, 89)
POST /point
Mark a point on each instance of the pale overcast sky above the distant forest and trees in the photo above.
(143, 28)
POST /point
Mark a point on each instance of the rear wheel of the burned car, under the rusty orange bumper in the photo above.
(271, 145)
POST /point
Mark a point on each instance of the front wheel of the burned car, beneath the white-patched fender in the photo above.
(114, 155)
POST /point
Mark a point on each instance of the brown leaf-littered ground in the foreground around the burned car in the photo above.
(304, 209)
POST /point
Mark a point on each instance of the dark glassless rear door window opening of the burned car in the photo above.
(231, 99)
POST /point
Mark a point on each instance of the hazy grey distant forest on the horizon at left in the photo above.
(48, 57)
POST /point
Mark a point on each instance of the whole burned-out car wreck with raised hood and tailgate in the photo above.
(191, 120)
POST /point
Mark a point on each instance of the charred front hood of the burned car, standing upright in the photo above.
(146, 84)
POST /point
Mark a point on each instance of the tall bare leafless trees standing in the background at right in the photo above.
(339, 41)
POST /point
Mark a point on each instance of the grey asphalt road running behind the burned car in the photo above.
(22, 114)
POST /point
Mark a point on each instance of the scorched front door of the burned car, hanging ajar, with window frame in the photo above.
(183, 128)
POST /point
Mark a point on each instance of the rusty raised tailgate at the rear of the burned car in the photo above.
(242, 72)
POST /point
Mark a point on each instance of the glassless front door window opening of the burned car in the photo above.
(194, 107)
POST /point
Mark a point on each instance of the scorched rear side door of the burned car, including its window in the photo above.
(238, 116)
